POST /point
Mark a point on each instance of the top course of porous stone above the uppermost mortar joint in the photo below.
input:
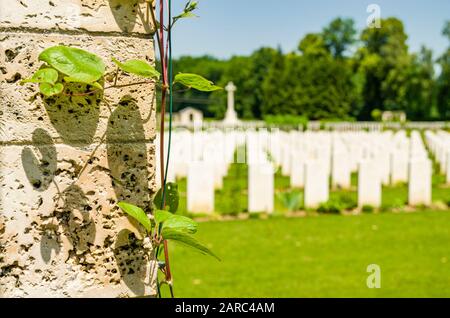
(80, 16)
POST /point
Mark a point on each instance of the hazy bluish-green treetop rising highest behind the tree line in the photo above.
(339, 36)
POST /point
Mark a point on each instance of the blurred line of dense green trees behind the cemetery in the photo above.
(336, 74)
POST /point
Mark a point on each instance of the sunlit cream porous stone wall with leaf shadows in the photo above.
(66, 161)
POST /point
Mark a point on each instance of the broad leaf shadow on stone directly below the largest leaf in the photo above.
(75, 118)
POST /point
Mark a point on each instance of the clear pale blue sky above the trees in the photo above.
(238, 27)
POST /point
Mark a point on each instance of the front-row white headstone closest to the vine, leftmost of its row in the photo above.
(200, 188)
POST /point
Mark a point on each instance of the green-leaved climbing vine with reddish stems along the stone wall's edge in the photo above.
(64, 66)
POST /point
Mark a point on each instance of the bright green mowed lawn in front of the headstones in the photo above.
(323, 256)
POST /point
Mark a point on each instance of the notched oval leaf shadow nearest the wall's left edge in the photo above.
(40, 166)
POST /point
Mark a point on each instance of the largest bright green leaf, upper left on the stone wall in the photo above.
(79, 65)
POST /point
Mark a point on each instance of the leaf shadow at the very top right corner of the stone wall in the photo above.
(126, 14)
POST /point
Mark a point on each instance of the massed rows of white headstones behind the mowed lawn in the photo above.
(315, 161)
